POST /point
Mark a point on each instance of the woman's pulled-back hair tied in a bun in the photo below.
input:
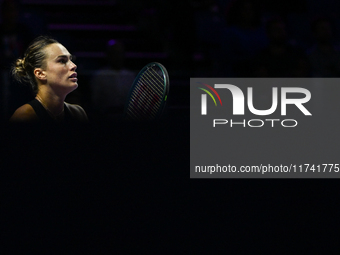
(23, 69)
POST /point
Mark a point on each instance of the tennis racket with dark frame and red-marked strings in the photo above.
(148, 93)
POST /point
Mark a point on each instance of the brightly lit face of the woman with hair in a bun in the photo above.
(60, 70)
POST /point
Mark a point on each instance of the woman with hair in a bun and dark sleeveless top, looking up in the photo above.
(47, 66)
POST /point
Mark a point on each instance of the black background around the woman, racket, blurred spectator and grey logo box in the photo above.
(121, 186)
